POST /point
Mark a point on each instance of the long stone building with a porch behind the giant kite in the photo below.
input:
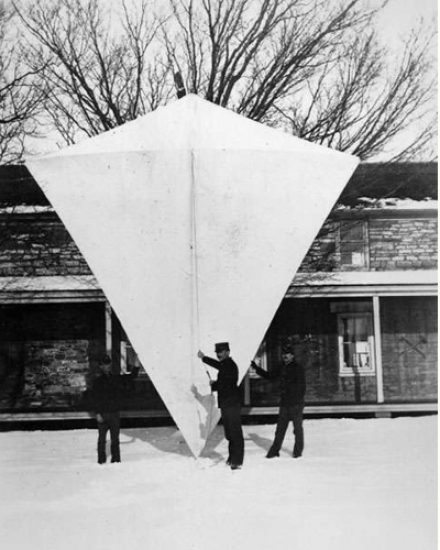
(361, 311)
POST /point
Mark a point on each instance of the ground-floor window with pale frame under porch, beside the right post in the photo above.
(356, 344)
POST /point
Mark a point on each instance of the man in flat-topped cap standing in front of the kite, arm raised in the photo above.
(228, 393)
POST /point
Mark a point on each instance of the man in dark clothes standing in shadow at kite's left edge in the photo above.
(106, 396)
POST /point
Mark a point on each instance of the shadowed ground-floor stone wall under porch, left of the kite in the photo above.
(49, 354)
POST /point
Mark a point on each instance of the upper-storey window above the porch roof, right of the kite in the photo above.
(352, 243)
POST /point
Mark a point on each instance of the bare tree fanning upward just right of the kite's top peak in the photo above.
(250, 55)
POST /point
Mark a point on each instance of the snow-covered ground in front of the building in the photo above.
(362, 484)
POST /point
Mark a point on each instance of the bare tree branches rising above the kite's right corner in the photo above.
(360, 105)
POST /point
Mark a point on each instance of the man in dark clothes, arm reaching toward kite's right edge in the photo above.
(293, 388)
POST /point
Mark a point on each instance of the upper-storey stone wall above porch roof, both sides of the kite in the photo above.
(40, 245)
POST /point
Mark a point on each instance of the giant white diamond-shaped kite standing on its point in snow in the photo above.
(194, 220)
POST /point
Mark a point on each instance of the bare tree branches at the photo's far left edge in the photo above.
(20, 100)
